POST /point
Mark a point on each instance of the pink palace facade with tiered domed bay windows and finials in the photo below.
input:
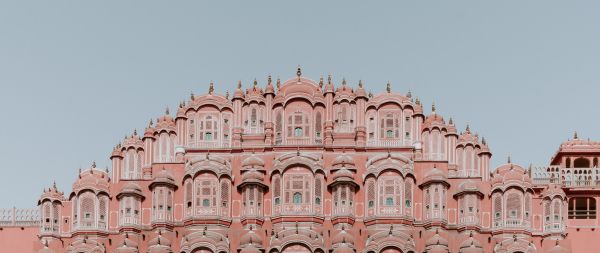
(308, 166)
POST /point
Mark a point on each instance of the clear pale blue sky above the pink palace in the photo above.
(76, 76)
